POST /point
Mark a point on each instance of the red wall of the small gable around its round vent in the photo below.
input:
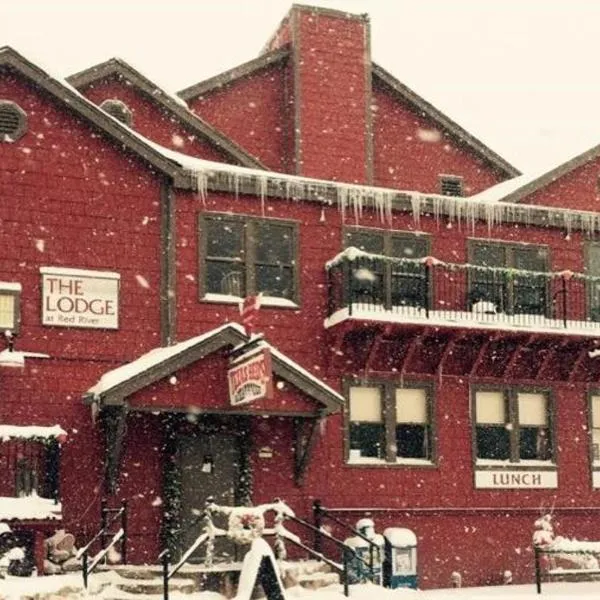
(154, 123)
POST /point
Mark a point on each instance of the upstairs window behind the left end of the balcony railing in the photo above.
(376, 281)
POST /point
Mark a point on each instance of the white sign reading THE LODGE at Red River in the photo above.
(80, 298)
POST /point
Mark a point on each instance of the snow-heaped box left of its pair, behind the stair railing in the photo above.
(359, 567)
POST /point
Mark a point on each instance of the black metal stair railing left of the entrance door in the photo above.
(108, 517)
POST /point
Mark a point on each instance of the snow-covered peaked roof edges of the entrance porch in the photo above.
(114, 386)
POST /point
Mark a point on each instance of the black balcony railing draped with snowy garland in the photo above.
(374, 287)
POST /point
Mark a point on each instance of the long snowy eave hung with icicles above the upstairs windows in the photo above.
(485, 206)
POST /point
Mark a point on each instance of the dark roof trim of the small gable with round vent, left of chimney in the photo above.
(172, 104)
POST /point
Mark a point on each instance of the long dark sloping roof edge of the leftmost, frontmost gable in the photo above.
(113, 129)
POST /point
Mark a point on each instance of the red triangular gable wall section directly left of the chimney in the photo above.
(254, 113)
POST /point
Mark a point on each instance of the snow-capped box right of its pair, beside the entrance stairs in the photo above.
(400, 565)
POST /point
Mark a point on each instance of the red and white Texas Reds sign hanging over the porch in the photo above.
(250, 377)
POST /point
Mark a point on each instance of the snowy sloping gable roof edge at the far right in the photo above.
(526, 185)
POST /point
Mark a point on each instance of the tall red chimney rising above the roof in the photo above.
(331, 82)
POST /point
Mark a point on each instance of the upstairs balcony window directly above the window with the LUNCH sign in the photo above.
(499, 282)
